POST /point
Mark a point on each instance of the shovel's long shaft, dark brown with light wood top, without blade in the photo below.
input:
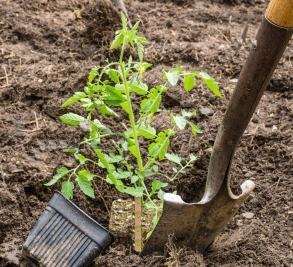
(270, 43)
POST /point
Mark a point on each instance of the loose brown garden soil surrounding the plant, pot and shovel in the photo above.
(47, 48)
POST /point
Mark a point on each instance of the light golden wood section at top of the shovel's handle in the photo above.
(280, 13)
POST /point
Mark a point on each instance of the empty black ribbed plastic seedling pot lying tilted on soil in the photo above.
(64, 236)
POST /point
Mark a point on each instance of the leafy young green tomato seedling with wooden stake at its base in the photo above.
(113, 85)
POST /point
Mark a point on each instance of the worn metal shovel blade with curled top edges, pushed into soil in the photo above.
(195, 225)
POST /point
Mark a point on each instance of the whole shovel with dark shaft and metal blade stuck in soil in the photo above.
(196, 225)
